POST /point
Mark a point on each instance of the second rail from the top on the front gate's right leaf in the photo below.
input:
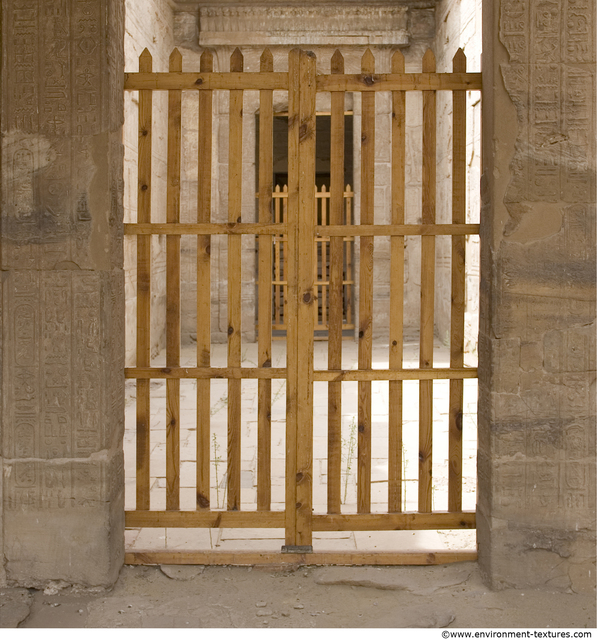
(397, 230)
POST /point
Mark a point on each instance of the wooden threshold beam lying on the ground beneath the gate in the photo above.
(322, 558)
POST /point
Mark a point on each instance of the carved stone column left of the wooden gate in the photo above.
(62, 291)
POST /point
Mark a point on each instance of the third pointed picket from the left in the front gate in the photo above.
(204, 156)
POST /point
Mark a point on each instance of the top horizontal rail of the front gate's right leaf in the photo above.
(401, 82)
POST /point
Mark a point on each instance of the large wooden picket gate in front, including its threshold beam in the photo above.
(301, 230)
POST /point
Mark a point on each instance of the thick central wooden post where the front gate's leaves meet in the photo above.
(300, 257)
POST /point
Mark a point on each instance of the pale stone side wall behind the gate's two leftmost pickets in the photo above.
(149, 24)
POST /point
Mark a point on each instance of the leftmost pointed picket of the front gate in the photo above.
(144, 287)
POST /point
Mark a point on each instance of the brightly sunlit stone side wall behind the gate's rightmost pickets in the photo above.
(458, 26)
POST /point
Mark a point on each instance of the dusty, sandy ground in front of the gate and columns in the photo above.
(451, 596)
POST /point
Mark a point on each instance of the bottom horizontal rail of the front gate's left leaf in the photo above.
(206, 519)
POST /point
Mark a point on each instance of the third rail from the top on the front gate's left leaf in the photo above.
(204, 373)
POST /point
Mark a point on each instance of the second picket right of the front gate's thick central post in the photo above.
(366, 290)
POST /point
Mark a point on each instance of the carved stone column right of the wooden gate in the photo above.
(536, 510)
